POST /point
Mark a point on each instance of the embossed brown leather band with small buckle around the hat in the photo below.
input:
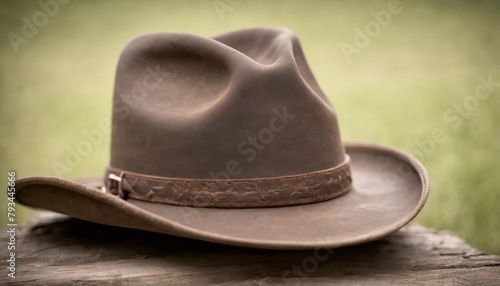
(232, 193)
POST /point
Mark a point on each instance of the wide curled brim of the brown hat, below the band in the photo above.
(390, 187)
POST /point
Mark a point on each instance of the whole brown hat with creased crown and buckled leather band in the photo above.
(231, 140)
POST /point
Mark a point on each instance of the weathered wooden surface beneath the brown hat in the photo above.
(58, 250)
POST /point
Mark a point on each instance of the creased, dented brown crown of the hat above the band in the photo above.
(240, 105)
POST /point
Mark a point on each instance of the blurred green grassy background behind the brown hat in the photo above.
(399, 87)
